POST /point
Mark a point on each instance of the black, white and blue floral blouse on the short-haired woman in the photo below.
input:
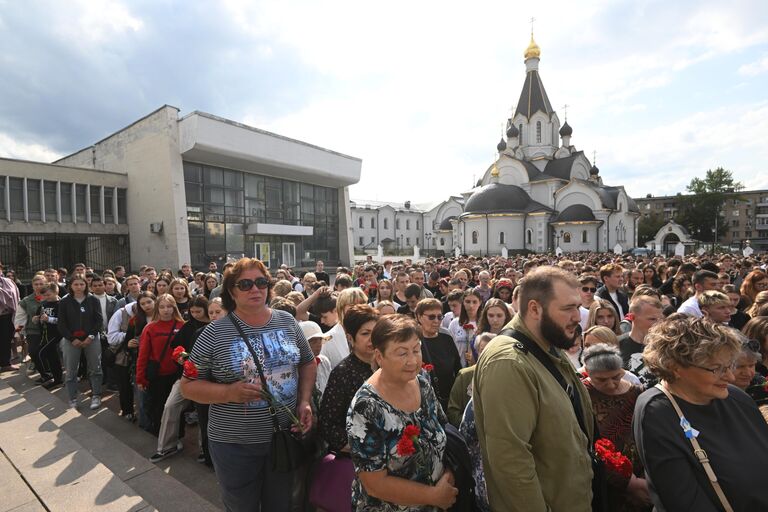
(374, 428)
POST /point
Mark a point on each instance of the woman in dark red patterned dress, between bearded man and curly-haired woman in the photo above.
(613, 401)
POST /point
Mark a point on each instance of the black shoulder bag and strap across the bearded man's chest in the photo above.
(599, 481)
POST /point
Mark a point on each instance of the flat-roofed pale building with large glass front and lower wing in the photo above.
(191, 189)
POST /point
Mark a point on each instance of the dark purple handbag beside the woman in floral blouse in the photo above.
(332, 479)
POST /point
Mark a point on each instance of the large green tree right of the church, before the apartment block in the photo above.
(700, 211)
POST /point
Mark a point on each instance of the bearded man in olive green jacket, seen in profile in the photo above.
(533, 415)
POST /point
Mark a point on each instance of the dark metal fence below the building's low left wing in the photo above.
(27, 253)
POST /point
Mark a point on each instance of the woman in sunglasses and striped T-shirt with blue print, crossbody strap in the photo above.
(223, 372)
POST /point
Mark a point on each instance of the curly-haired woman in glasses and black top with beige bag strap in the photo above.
(693, 408)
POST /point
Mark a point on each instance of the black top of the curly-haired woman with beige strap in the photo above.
(732, 432)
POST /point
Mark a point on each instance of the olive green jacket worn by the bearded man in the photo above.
(535, 454)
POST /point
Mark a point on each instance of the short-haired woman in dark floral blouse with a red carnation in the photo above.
(395, 429)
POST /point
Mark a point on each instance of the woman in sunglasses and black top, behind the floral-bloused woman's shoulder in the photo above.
(441, 359)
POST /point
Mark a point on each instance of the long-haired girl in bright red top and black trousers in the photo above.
(155, 345)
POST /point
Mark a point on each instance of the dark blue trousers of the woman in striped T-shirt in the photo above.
(246, 479)
